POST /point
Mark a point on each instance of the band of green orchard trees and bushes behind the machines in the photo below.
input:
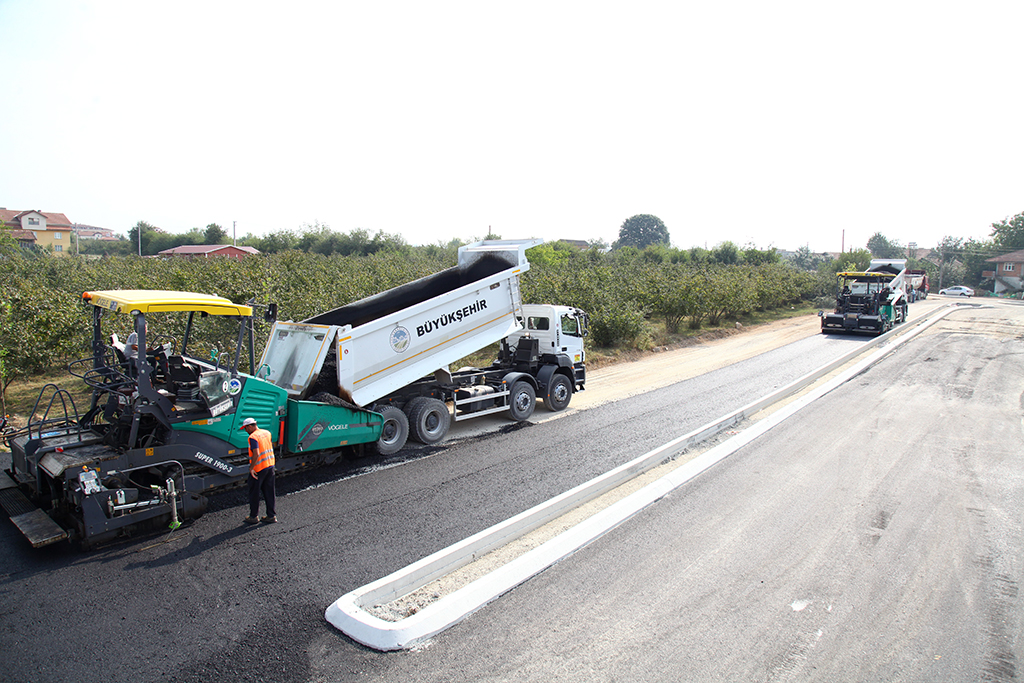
(634, 291)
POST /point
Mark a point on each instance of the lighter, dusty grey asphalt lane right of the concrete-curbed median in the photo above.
(877, 537)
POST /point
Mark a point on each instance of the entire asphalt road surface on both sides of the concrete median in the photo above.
(808, 552)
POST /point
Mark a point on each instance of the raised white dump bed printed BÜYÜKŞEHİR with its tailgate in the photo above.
(391, 340)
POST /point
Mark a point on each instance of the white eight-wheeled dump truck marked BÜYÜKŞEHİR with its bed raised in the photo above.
(395, 351)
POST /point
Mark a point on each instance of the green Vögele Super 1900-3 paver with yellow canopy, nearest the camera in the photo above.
(162, 429)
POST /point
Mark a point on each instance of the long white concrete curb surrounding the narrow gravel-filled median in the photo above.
(348, 613)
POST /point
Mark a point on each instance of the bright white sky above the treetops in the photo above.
(778, 124)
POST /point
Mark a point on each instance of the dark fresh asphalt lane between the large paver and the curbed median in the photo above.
(222, 602)
